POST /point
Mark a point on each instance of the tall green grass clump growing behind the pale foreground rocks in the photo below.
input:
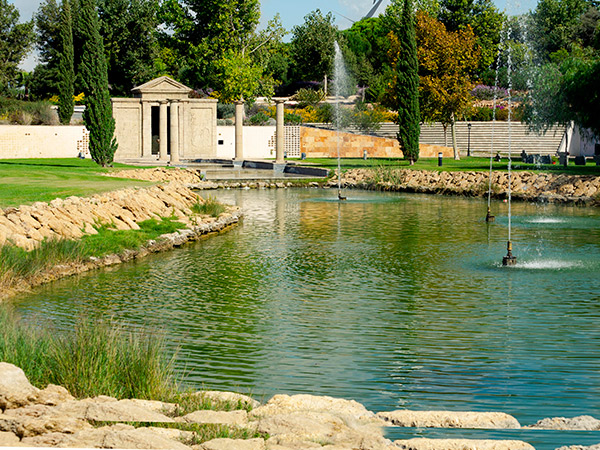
(96, 357)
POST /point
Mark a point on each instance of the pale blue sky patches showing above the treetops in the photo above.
(292, 12)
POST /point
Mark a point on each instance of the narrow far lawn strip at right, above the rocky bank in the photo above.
(450, 165)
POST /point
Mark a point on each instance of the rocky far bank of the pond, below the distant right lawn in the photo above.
(525, 186)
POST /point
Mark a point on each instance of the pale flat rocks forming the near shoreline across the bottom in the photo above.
(51, 417)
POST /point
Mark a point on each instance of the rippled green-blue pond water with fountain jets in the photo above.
(394, 300)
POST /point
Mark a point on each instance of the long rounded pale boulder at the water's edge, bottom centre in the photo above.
(304, 402)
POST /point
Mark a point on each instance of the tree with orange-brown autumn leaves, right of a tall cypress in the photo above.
(447, 61)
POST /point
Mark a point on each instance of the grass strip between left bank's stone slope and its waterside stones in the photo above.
(16, 263)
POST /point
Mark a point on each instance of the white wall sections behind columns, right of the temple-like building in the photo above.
(259, 142)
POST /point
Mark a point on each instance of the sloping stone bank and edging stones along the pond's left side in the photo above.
(71, 218)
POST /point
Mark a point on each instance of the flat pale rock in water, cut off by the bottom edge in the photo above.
(461, 444)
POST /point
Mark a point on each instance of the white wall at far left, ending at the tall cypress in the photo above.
(41, 141)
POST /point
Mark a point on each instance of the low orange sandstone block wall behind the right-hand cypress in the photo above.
(321, 143)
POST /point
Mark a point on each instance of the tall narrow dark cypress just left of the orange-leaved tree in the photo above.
(407, 87)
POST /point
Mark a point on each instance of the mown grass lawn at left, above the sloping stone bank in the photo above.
(24, 181)
